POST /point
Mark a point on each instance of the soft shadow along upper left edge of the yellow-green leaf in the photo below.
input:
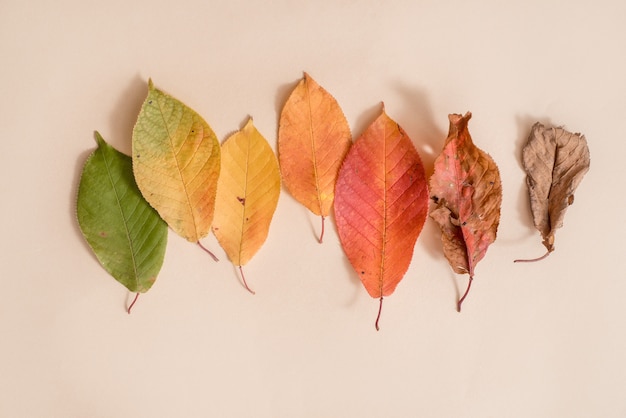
(124, 115)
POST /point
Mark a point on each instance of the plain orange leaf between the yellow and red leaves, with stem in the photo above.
(313, 139)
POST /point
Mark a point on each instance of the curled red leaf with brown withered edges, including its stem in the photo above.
(467, 191)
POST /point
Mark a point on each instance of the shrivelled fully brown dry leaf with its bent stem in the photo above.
(555, 162)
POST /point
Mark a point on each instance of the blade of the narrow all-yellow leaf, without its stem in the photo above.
(247, 194)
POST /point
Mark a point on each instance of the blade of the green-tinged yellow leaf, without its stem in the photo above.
(176, 161)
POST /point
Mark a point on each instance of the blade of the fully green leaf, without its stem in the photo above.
(127, 236)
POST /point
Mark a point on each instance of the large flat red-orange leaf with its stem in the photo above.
(381, 205)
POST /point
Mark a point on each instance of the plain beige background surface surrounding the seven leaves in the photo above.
(543, 340)
